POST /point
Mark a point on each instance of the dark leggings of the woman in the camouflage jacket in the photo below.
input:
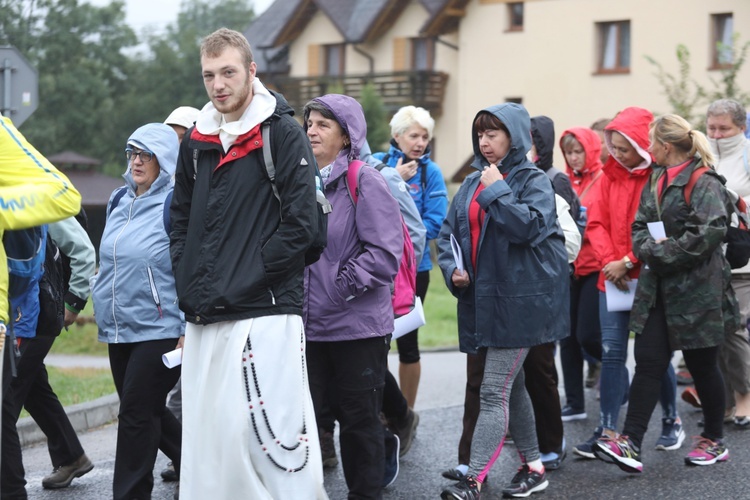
(652, 355)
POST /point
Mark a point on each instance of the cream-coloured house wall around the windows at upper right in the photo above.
(551, 63)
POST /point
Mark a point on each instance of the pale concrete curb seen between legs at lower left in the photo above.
(83, 416)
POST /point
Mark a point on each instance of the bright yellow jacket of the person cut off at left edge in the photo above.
(32, 192)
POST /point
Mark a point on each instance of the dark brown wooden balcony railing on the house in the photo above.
(396, 89)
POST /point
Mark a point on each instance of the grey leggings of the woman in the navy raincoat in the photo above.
(504, 403)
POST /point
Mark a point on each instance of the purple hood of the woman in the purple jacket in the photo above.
(351, 117)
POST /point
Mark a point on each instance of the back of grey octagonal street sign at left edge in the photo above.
(19, 86)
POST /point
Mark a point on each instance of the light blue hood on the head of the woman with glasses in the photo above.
(161, 140)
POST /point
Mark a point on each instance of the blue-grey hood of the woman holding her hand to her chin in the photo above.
(516, 119)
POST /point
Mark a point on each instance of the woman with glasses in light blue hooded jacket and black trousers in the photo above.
(135, 304)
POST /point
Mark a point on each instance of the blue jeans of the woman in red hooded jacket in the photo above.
(614, 377)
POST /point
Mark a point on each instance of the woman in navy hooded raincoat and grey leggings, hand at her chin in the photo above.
(512, 292)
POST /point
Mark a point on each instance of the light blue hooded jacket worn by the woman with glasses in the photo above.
(138, 302)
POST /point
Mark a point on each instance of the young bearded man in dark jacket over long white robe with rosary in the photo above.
(239, 256)
